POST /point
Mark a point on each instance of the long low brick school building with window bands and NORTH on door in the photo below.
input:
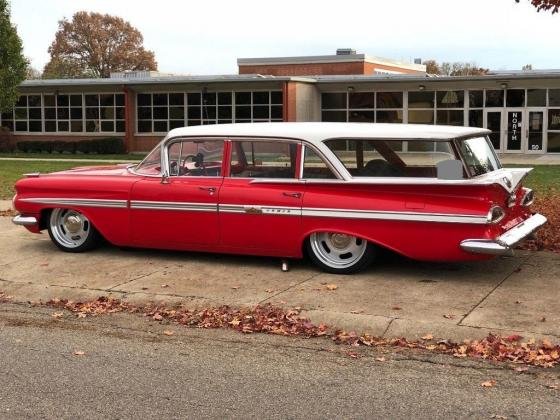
(522, 109)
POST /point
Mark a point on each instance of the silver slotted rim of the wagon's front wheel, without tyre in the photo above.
(69, 227)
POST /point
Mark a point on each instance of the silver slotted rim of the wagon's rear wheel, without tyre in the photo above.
(337, 250)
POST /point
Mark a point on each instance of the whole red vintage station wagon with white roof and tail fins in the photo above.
(334, 191)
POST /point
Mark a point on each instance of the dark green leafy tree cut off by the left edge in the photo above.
(13, 64)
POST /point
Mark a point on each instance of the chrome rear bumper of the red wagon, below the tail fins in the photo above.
(503, 245)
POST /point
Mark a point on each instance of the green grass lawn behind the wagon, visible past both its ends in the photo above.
(542, 178)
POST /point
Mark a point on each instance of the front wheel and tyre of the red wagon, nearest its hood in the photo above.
(71, 231)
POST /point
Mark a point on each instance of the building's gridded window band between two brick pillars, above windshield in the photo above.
(161, 112)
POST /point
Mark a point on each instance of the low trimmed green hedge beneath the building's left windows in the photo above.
(102, 146)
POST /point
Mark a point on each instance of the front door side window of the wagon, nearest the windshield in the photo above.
(196, 158)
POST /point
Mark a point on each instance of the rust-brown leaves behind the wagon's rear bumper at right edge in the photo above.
(547, 237)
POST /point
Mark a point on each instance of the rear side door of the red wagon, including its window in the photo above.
(260, 202)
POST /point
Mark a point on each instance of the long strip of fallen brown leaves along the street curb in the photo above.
(273, 320)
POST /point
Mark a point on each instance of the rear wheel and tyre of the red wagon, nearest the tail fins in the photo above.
(339, 253)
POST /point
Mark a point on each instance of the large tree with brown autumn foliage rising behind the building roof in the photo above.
(94, 45)
